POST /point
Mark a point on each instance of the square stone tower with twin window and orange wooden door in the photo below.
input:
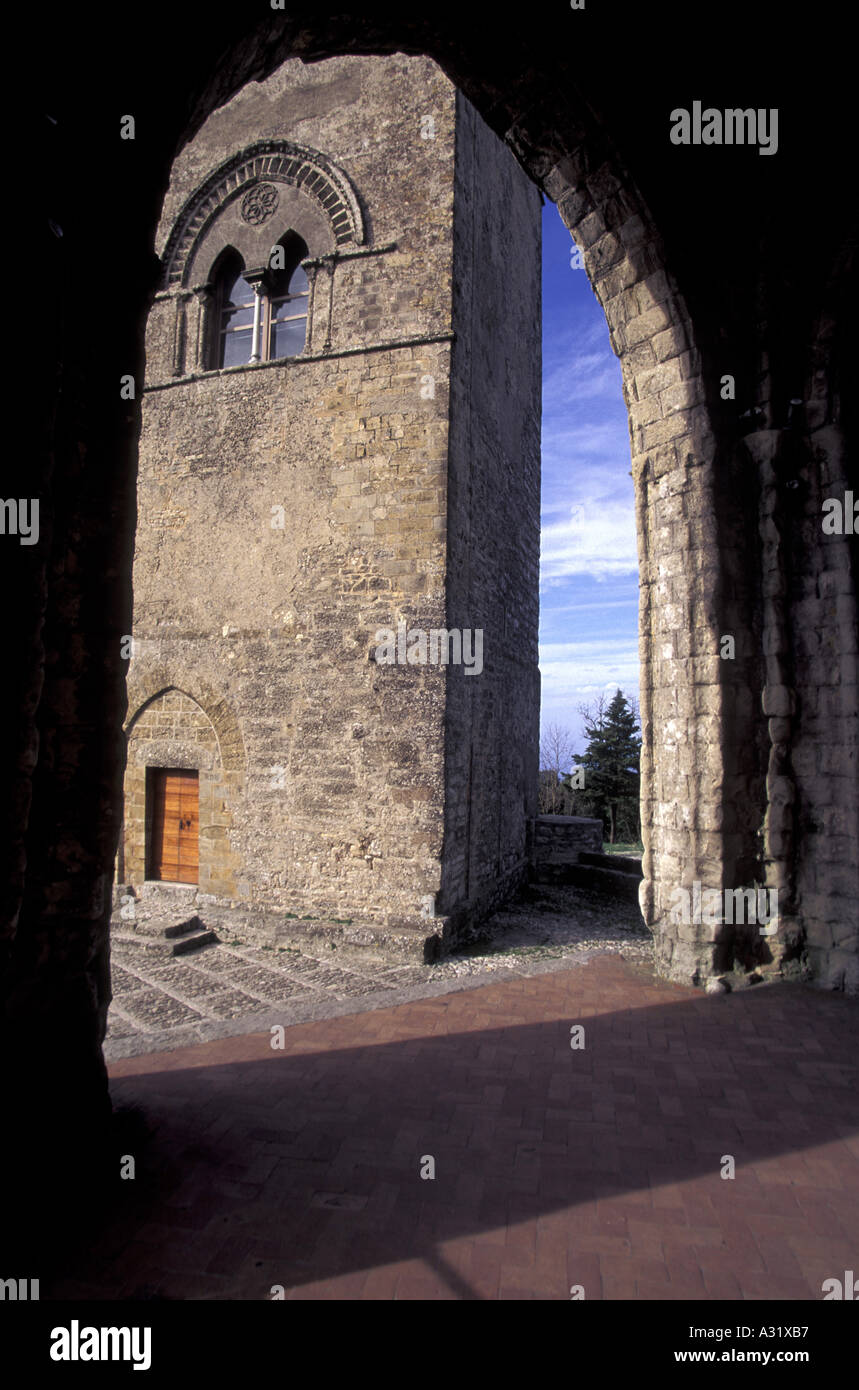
(341, 439)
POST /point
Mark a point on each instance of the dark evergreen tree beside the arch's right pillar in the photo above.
(612, 762)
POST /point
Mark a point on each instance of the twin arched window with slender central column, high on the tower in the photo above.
(245, 332)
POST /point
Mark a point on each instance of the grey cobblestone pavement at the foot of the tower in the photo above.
(231, 988)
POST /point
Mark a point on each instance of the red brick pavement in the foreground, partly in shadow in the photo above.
(554, 1167)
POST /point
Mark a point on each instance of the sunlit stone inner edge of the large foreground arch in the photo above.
(701, 811)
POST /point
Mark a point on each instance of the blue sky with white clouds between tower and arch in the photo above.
(589, 629)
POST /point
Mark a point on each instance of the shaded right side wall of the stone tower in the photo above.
(491, 769)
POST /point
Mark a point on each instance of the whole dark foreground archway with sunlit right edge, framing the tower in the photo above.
(544, 85)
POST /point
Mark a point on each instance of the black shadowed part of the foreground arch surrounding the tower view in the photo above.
(598, 148)
